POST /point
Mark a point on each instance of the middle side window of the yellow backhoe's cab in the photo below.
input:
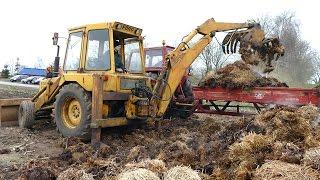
(98, 51)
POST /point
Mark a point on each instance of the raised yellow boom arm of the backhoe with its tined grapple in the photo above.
(180, 59)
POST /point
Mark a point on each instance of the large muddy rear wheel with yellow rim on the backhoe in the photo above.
(73, 111)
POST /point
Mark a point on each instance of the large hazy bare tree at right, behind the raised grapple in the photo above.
(296, 67)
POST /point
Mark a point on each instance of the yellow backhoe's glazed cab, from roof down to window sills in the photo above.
(104, 48)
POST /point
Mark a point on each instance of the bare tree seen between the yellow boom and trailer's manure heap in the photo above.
(212, 57)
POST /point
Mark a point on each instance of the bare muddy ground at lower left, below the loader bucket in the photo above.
(19, 146)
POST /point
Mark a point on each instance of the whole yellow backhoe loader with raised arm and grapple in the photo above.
(103, 82)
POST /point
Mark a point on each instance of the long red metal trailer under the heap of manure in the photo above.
(217, 100)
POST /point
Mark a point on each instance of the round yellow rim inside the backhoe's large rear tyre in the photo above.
(71, 113)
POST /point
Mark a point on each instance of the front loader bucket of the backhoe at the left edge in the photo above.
(9, 109)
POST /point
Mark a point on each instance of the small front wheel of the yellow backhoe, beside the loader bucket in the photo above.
(26, 114)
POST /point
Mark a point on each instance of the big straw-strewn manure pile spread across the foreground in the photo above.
(281, 143)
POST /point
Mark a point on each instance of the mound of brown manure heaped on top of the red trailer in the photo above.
(238, 75)
